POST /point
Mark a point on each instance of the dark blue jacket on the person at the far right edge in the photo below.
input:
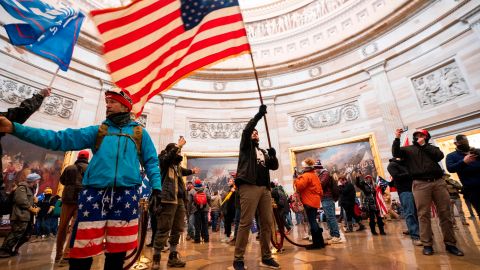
(469, 174)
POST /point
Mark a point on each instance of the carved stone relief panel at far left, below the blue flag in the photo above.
(14, 92)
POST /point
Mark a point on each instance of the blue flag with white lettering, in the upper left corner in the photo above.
(47, 31)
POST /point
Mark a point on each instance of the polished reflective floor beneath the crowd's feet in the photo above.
(361, 250)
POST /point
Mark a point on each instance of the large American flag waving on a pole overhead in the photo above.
(151, 44)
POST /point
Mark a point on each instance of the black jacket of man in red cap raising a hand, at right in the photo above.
(421, 161)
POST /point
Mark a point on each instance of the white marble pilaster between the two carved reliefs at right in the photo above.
(385, 100)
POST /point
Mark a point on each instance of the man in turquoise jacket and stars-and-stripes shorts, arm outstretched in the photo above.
(108, 201)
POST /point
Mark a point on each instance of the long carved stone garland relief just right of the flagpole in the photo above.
(328, 117)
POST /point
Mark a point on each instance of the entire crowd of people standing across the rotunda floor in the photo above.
(98, 210)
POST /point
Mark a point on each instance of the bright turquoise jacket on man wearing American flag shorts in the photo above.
(116, 161)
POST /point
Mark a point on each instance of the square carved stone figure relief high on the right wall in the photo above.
(440, 85)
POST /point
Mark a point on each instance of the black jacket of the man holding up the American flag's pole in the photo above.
(247, 160)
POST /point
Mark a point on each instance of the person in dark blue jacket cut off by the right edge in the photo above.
(465, 161)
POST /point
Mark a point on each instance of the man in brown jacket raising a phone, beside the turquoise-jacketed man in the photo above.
(171, 203)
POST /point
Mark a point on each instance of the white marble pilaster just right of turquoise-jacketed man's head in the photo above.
(168, 121)
